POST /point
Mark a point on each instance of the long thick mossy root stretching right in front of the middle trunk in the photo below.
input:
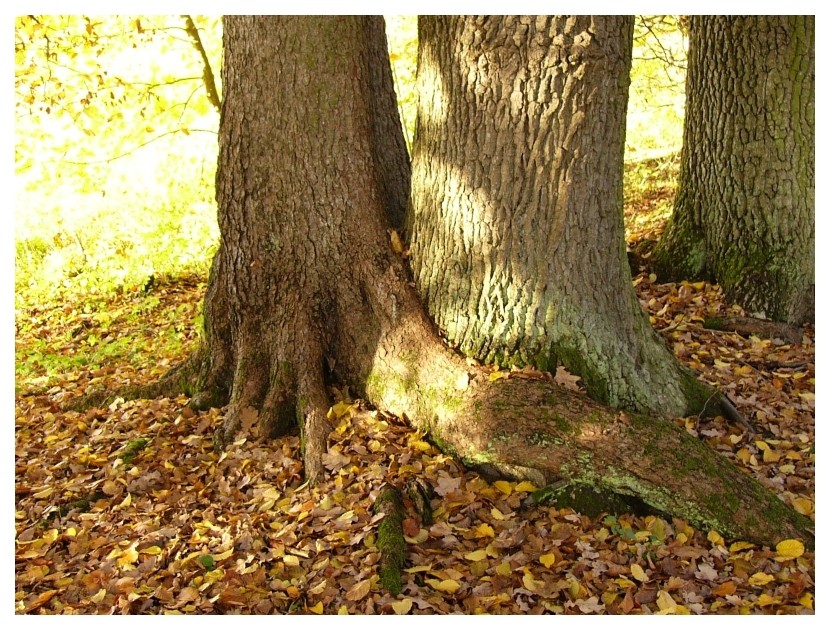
(536, 430)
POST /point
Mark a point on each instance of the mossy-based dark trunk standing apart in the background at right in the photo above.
(744, 214)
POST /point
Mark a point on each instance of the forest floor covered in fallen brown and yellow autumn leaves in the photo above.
(128, 509)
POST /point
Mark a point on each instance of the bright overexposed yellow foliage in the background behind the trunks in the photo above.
(115, 139)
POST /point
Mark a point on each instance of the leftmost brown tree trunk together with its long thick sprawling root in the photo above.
(306, 287)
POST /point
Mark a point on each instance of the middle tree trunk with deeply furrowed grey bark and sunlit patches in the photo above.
(516, 224)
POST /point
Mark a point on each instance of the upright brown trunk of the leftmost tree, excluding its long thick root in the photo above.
(284, 304)
